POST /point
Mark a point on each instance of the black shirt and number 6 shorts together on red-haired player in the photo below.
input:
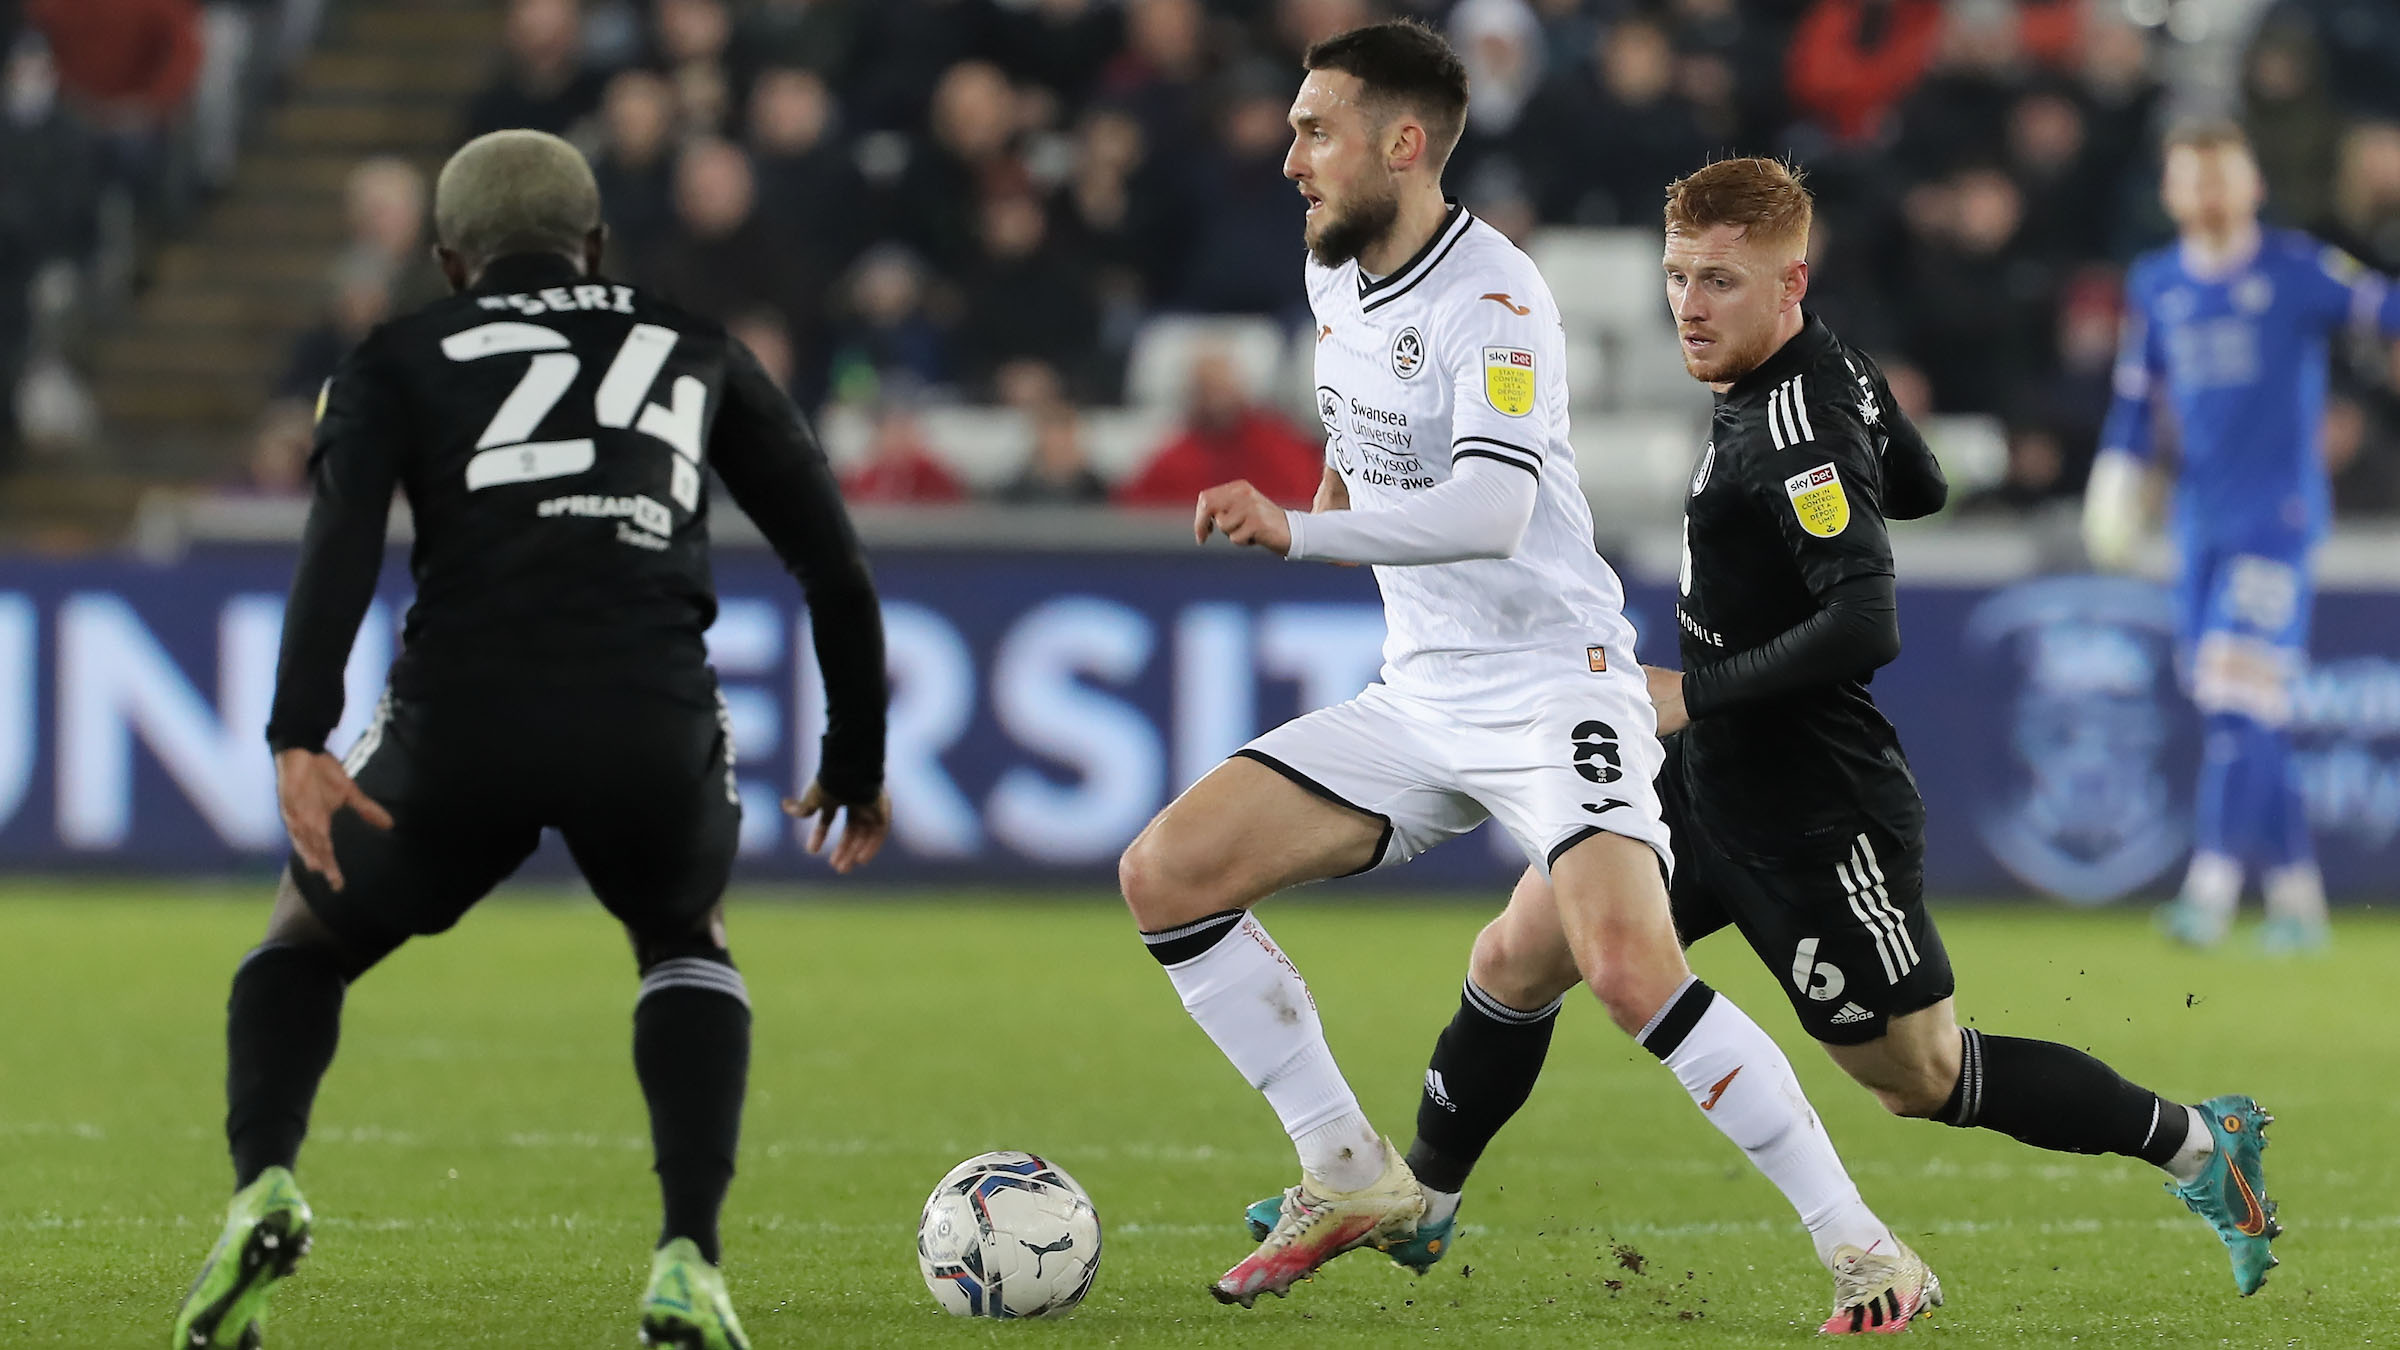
(1789, 799)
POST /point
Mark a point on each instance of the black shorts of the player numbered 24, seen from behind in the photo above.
(640, 787)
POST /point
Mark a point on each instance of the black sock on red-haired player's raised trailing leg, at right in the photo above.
(2060, 1099)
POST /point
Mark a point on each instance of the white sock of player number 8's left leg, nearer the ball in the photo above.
(1252, 1000)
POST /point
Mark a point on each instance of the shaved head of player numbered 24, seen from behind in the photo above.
(515, 193)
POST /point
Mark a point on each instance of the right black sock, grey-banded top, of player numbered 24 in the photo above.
(692, 1056)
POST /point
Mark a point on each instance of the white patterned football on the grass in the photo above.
(1009, 1236)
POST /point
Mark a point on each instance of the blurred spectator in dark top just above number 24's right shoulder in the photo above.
(721, 258)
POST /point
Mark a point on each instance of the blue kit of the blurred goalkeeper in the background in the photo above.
(2238, 357)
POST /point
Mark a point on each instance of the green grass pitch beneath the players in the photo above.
(481, 1169)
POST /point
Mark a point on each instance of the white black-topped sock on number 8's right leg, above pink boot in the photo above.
(1746, 1087)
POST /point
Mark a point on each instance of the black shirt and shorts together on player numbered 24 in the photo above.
(553, 436)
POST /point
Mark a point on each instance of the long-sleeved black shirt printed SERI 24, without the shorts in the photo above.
(553, 436)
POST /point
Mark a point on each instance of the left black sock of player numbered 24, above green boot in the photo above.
(282, 1025)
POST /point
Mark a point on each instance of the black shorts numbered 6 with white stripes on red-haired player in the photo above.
(1849, 940)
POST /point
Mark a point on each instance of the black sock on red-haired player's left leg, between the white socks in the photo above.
(1482, 1070)
